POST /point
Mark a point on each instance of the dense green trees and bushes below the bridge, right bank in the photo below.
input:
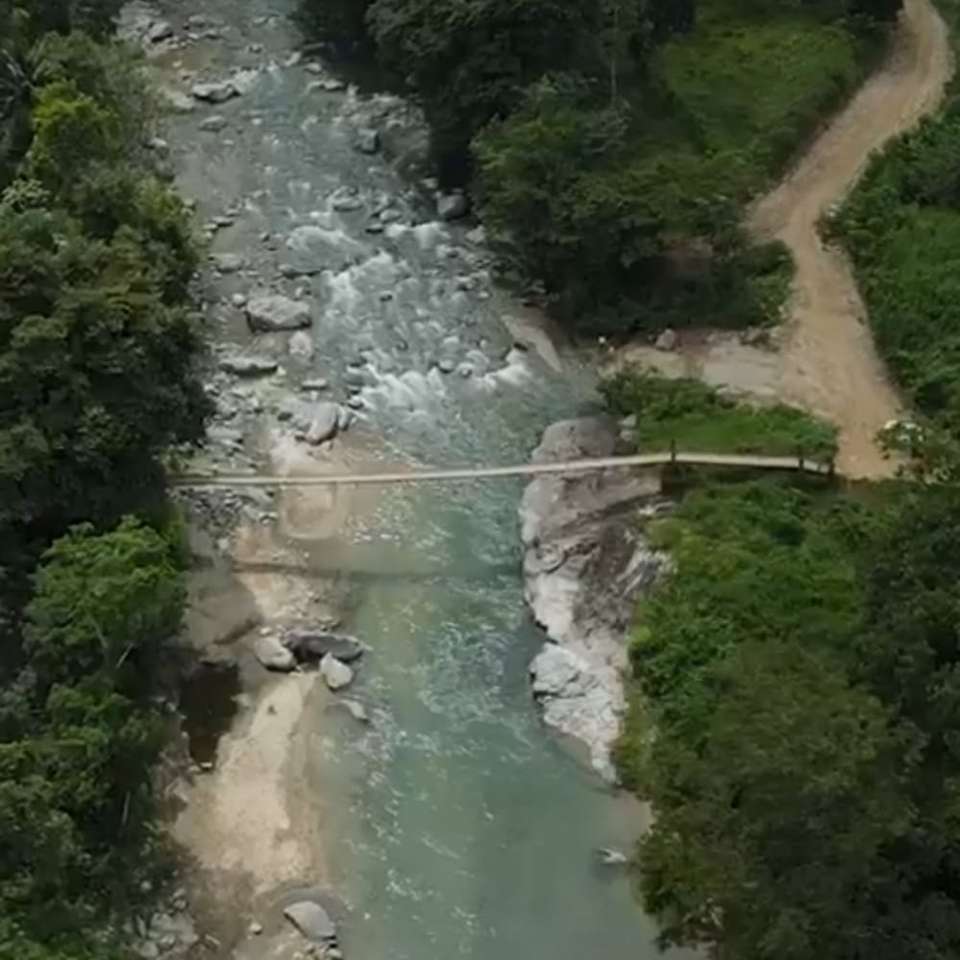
(799, 670)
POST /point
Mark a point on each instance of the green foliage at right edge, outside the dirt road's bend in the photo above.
(902, 228)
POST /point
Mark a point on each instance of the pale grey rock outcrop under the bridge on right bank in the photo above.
(586, 562)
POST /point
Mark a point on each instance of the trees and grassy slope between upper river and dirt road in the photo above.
(612, 146)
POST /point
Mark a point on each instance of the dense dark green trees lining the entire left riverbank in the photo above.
(97, 346)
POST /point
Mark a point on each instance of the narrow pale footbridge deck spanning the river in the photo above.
(748, 461)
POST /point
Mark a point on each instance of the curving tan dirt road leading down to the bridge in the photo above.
(830, 364)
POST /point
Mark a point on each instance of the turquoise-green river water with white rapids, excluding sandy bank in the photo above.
(456, 825)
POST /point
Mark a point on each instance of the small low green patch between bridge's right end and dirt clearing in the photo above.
(698, 418)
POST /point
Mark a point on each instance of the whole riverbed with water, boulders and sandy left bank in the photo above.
(355, 324)
